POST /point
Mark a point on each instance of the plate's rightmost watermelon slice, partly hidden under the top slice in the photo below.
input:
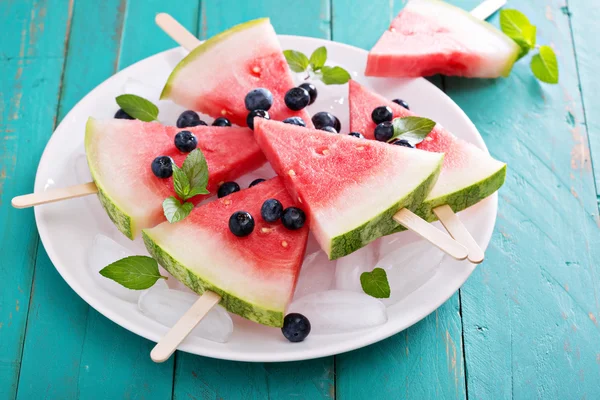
(469, 174)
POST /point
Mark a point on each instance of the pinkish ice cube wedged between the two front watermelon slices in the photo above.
(316, 274)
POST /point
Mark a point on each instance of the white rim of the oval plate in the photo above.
(369, 337)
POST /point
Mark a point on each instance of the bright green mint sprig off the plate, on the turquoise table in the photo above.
(517, 26)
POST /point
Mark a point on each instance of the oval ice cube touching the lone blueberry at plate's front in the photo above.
(336, 311)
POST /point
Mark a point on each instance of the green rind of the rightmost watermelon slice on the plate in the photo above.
(462, 199)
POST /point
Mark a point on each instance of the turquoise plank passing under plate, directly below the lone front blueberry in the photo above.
(198, 377)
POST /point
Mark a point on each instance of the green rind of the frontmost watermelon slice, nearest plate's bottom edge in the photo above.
(198, 284)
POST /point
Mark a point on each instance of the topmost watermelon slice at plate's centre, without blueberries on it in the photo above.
(350, 187)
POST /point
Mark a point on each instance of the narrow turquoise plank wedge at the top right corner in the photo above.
(584, 17)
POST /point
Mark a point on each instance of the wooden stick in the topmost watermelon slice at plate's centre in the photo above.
(413, 222)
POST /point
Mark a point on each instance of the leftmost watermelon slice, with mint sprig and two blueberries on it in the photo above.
(120, 153)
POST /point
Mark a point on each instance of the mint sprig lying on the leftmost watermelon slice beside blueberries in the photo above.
(188, 181)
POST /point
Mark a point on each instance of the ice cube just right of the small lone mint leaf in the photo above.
(409, 267)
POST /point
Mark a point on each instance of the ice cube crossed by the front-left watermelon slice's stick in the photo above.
(167, 306)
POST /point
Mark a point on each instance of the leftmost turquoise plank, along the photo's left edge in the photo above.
(33, 44)
